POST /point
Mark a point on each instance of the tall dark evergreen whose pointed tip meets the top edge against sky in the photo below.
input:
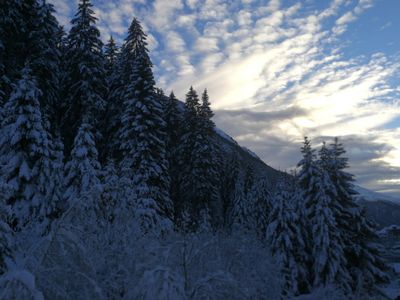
(84, 83)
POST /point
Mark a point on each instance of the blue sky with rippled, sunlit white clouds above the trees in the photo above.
(279, 70)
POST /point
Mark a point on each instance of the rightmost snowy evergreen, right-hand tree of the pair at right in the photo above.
(363, 254)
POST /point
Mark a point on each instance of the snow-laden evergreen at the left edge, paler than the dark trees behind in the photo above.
(24, 150)
